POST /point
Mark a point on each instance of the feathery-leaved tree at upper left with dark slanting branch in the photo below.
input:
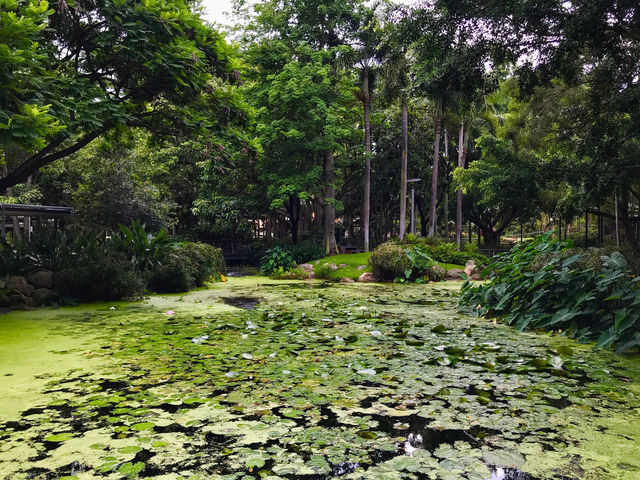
(100, 66)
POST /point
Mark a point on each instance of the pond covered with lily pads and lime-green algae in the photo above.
(307, 380)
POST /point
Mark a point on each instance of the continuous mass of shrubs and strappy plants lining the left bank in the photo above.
(89, 265)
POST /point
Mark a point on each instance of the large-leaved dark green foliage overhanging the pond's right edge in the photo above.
(565, 291)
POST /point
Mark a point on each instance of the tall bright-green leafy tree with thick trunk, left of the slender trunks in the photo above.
(298, 49)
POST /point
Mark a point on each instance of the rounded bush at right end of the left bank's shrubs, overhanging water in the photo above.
(185, 266)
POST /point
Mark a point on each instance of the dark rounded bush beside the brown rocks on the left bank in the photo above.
(106, 277)
